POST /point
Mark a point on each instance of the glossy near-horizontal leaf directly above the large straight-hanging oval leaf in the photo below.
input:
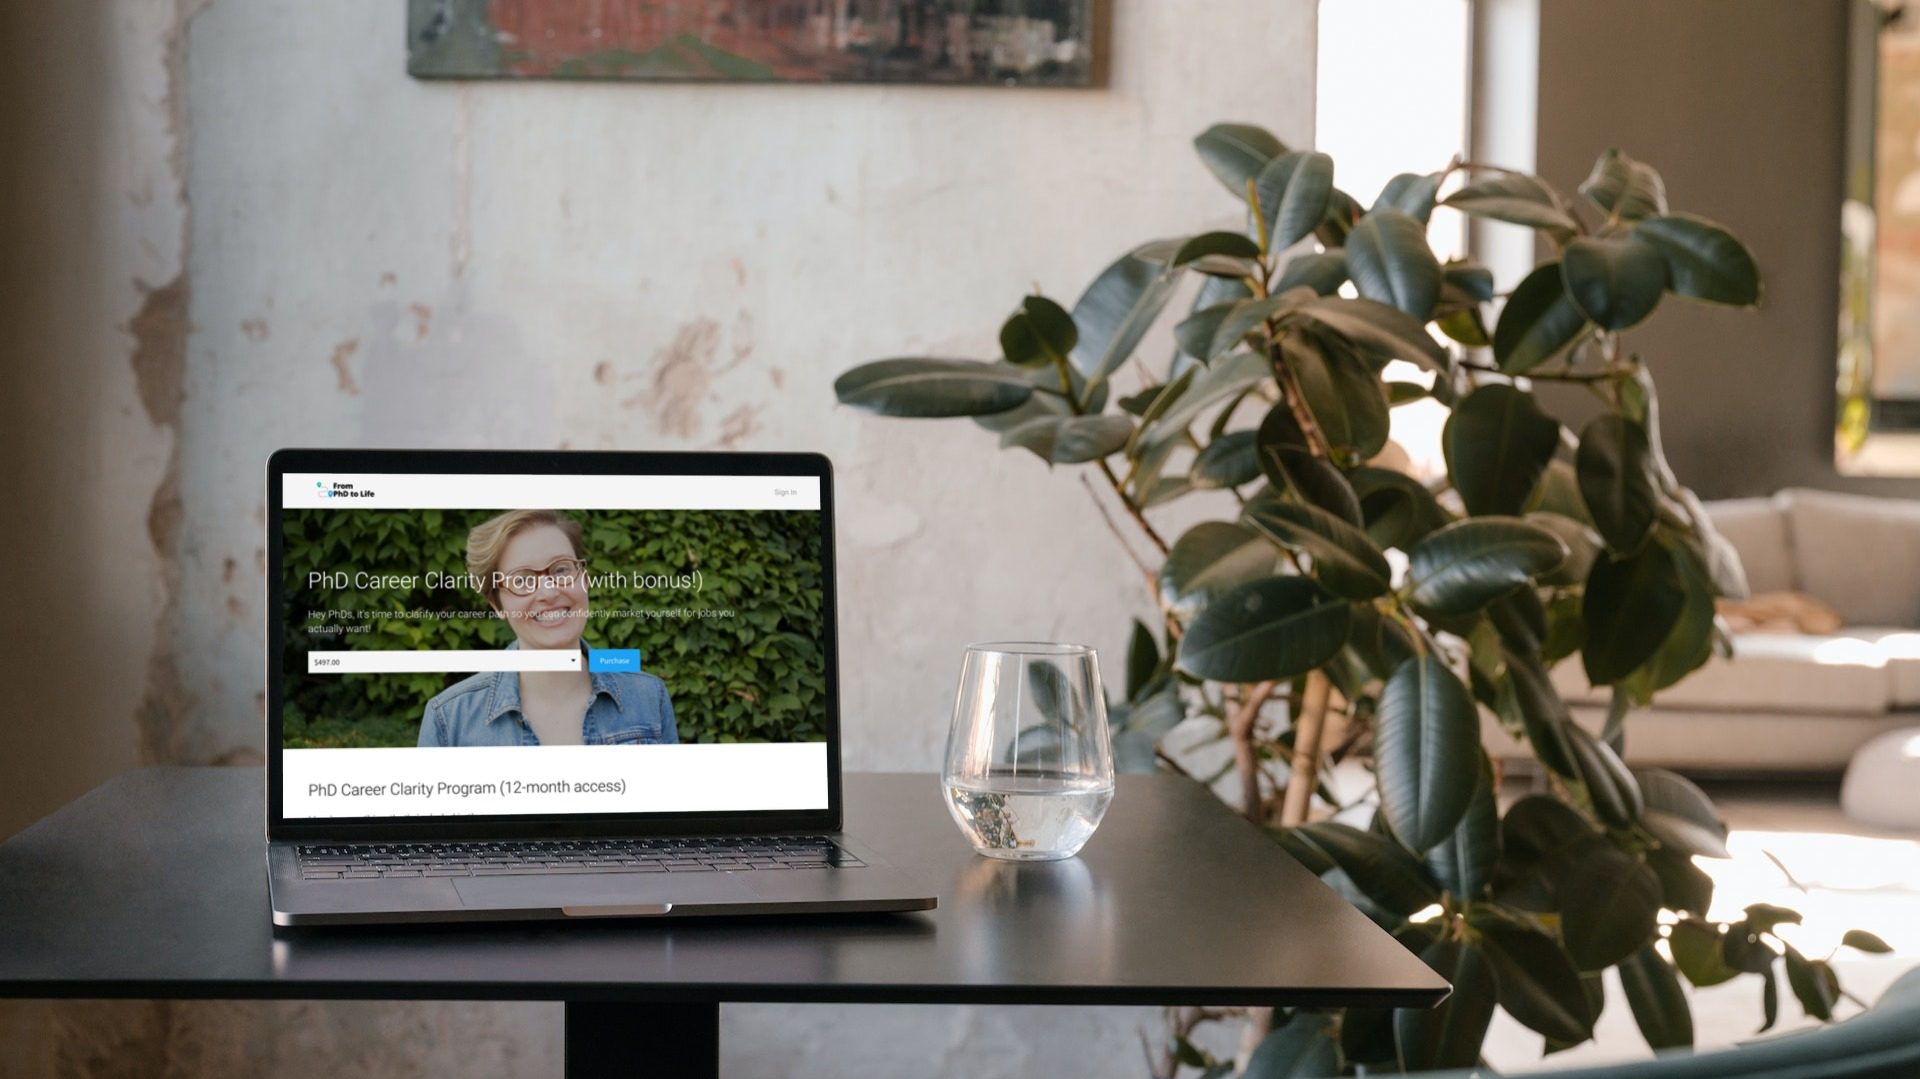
(1472, 563)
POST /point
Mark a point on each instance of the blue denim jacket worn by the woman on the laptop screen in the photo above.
(485, 709)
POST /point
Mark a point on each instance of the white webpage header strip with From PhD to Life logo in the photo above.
(466, 491)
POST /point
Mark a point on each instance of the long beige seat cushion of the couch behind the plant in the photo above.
(1773, 673)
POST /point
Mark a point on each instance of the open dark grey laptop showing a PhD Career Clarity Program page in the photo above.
(546, 686)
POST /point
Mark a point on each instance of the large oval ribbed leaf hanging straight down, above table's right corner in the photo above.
(1428, 746)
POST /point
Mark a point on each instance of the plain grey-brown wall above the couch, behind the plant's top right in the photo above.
(1740, 105)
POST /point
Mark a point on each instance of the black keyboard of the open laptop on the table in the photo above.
(529, 857)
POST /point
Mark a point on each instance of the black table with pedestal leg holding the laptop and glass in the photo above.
(155, 886)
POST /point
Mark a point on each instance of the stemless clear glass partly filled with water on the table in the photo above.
(1030, 771)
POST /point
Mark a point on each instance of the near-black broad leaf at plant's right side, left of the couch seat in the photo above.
(1631, 608)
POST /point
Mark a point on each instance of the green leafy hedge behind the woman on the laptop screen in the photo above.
(757, 677)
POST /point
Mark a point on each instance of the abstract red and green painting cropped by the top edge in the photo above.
(1013, 43)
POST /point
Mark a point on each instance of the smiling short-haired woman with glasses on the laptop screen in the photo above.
(531, 565)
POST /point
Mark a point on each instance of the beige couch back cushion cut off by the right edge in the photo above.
(1858, 554)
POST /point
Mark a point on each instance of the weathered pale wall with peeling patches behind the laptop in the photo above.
(245, 228)
